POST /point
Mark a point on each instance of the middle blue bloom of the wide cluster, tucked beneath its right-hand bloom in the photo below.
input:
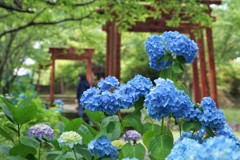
(128, 95)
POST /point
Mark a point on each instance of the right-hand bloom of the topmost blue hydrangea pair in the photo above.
(180, 45)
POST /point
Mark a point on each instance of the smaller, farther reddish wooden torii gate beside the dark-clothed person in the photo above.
(69, 54)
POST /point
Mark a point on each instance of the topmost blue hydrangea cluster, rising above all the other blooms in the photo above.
(172, 43)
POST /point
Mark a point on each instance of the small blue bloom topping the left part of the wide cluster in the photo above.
(108, 83)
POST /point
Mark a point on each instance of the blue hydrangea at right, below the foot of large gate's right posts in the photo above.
(212, 117)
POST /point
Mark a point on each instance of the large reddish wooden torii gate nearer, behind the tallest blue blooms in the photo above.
(200, 86)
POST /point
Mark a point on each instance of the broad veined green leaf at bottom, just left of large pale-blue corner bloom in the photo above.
(160, 146)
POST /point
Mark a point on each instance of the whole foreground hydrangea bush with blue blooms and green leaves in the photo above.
(144, 133)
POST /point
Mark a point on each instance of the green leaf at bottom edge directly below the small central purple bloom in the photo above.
(131, 151)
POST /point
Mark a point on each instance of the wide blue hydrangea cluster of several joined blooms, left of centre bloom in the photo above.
(109, 98)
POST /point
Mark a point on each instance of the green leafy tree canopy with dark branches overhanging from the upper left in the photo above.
(26, 22)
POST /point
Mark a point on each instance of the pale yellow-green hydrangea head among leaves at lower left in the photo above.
(69, 139)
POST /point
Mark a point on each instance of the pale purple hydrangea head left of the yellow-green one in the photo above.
(41, 131)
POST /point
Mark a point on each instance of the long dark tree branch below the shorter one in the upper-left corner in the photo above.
(32, 23)
